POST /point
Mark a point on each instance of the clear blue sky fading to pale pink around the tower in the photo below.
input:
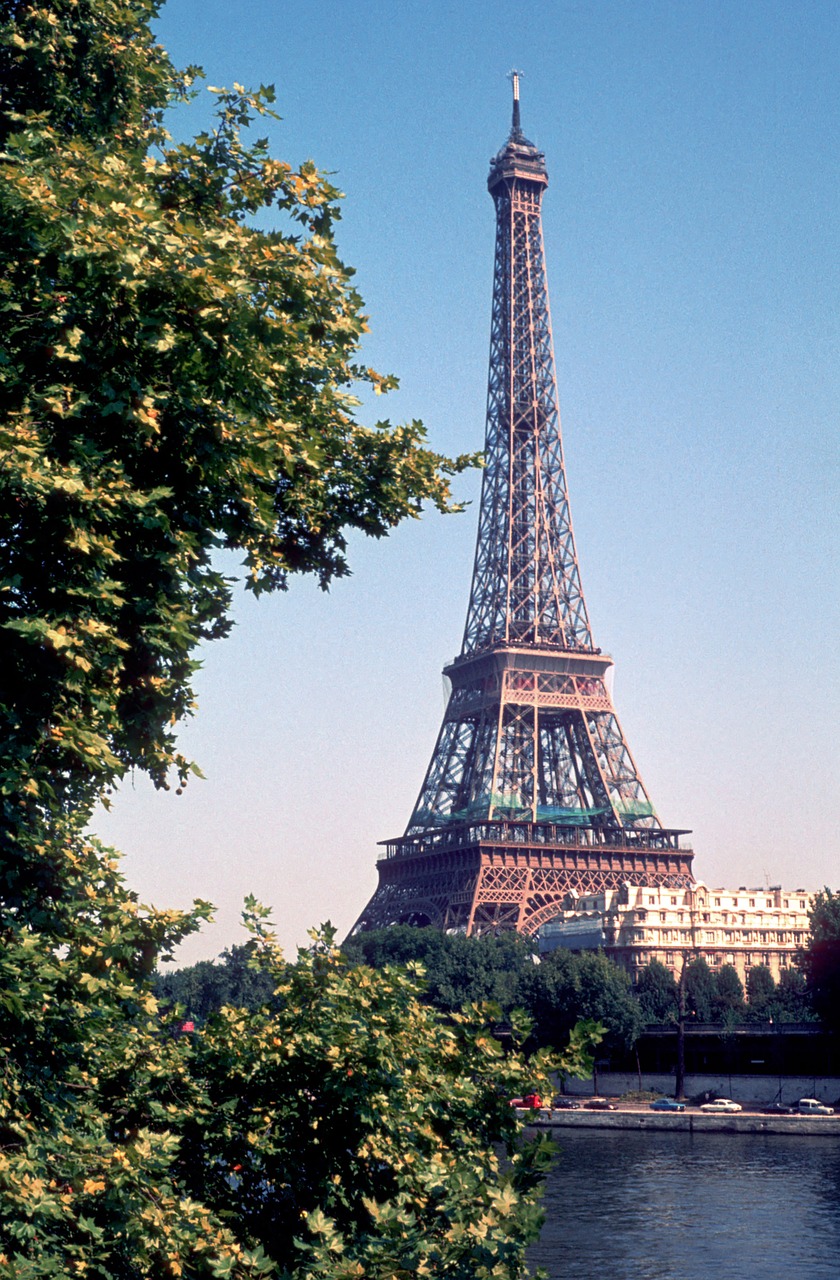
(693, 258)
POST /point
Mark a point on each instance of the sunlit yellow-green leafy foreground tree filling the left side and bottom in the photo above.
(176, 382)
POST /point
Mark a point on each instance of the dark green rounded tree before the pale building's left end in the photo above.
(568, 988)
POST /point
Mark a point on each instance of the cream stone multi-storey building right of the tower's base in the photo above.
(637, 925)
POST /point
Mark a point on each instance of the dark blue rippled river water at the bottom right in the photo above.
(674, 1206)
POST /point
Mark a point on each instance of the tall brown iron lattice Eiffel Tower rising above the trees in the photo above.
(532, 798)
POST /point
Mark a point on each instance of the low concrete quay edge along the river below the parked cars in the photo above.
(695, 1122)
